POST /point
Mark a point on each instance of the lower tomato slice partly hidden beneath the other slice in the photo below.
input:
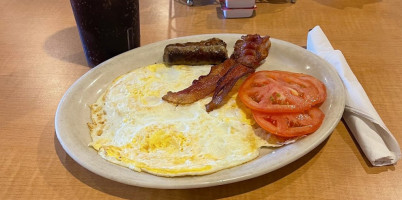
(290, 124)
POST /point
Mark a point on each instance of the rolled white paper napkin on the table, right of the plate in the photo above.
(374, 138)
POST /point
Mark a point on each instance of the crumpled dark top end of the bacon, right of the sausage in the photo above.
(251, 50)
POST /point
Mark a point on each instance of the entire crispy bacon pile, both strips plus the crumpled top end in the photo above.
(248, 54)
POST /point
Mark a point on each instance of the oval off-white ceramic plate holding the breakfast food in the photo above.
(73, 114)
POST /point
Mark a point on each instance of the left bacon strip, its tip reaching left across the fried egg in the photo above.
(202, 87)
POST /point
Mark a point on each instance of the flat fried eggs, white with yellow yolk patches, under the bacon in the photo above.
(133, 127)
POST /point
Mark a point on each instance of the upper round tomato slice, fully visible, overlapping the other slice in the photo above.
(279, 91)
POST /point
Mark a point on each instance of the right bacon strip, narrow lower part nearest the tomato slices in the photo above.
(226, 83)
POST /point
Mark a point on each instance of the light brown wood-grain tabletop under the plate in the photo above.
(41, 56)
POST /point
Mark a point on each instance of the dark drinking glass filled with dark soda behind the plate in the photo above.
(107, 27)
